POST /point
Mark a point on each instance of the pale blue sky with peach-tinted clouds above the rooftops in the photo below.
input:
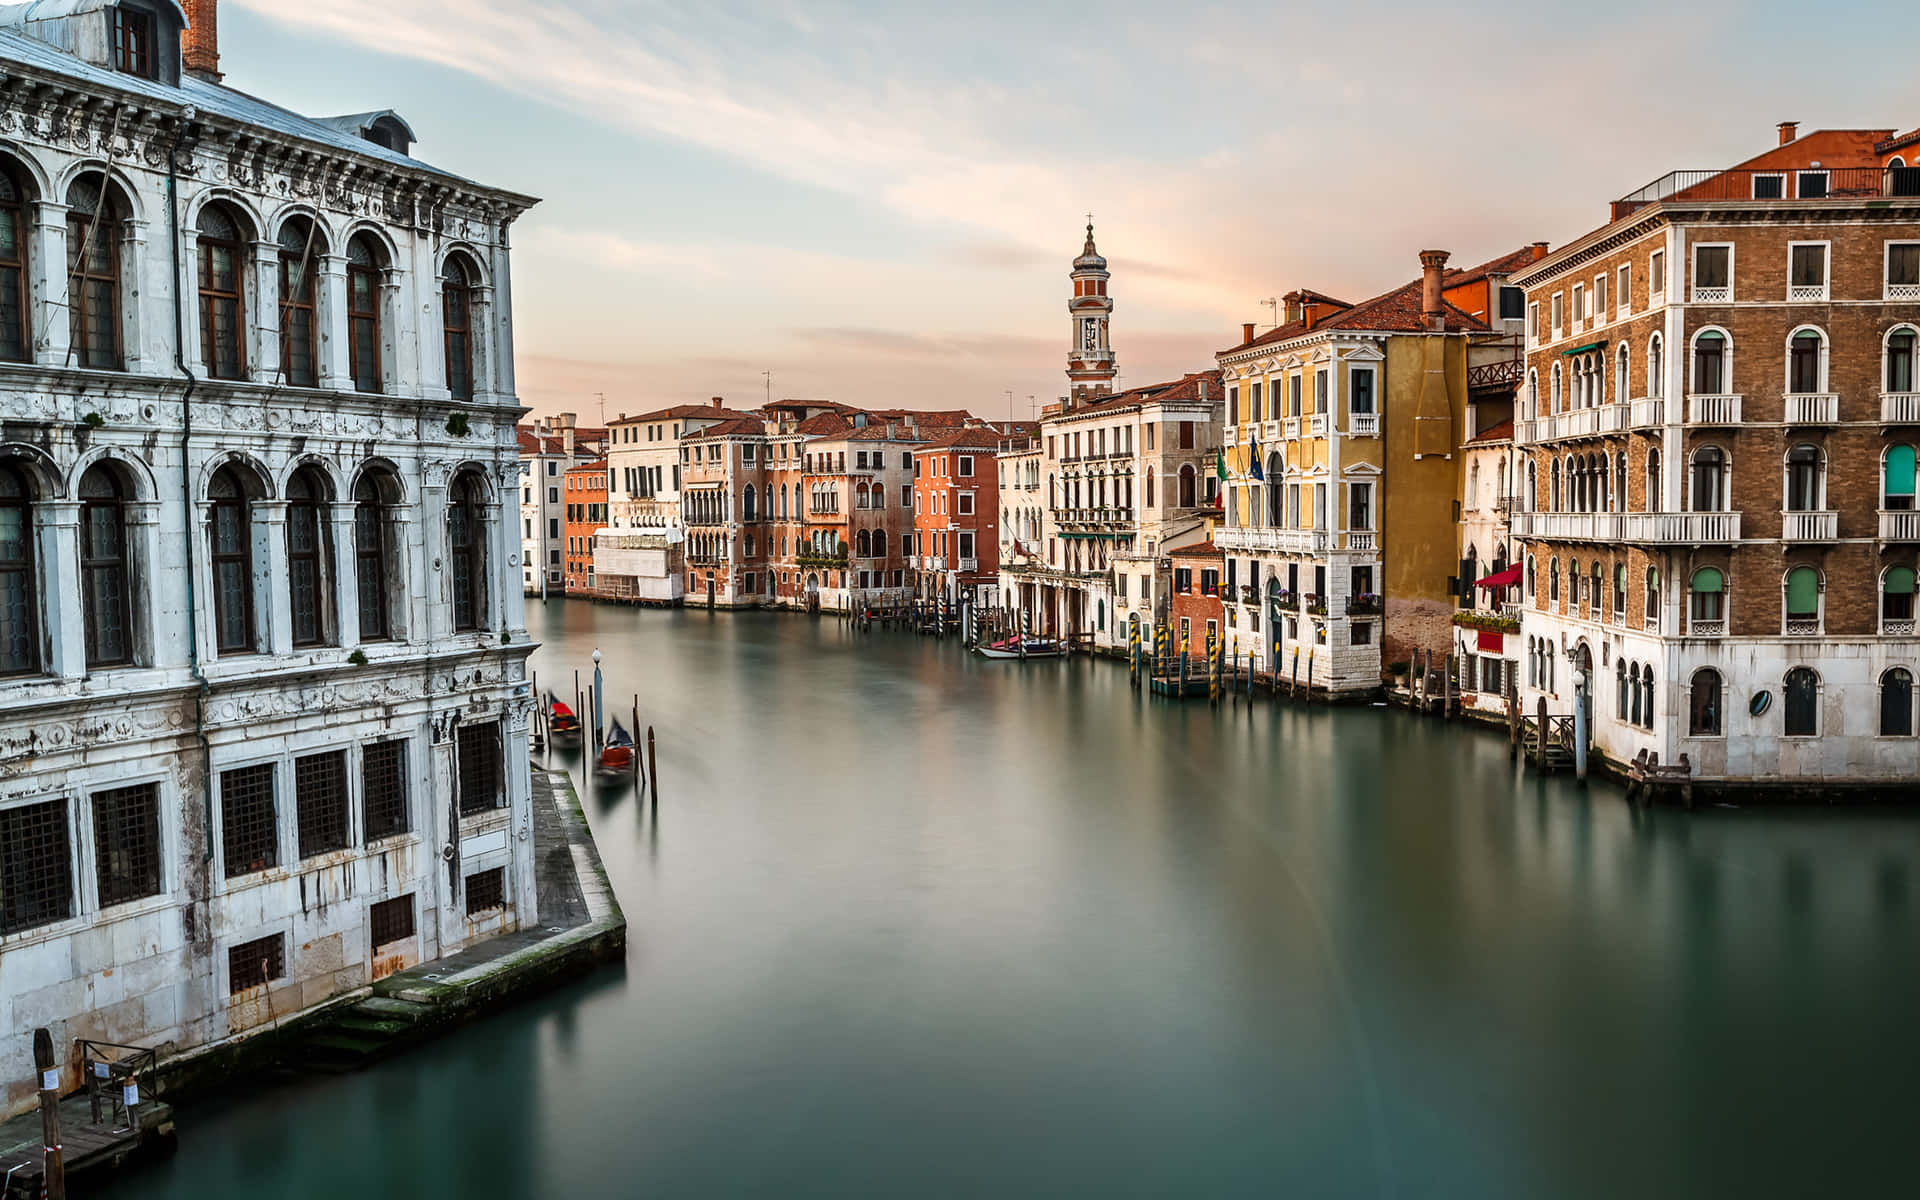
(878, 204)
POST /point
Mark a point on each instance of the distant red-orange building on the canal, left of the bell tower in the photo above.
(957, 517)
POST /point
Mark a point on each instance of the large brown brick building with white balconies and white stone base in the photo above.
(1719, 439)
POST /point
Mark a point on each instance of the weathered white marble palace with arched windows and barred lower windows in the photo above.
(262, 644)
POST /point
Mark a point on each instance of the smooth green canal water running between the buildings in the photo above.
(919, 924)
